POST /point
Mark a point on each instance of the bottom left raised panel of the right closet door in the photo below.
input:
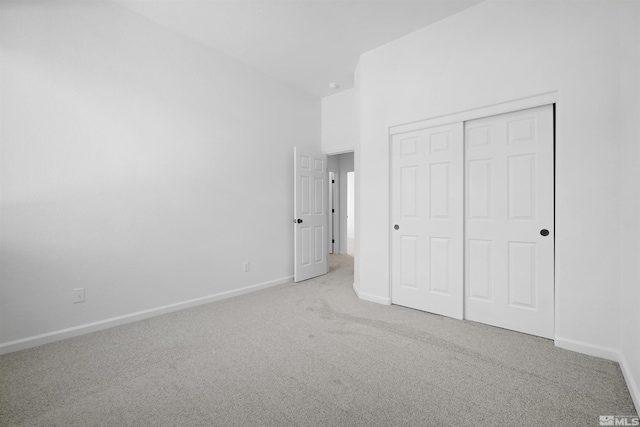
(480, 273)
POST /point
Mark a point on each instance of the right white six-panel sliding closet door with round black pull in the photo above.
(509, 258)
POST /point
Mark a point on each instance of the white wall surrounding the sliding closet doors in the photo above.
(502, 51)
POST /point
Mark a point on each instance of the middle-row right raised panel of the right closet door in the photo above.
(522, 187)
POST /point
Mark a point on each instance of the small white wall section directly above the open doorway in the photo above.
(339, 126)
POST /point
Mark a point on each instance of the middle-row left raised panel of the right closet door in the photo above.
(479, 189)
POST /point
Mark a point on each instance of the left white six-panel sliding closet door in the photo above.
(427, 220)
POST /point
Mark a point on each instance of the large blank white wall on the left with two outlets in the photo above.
(137, 164)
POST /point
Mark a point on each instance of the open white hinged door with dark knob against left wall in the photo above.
(310, 215)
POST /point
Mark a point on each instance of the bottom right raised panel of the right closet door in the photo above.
(522, 280)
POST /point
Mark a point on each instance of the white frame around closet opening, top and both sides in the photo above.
(478, 113)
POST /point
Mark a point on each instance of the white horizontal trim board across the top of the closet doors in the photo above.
(478, 113)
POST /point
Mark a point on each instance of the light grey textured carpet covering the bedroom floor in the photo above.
(307, 354)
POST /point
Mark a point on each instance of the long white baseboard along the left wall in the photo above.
(49, 337)
